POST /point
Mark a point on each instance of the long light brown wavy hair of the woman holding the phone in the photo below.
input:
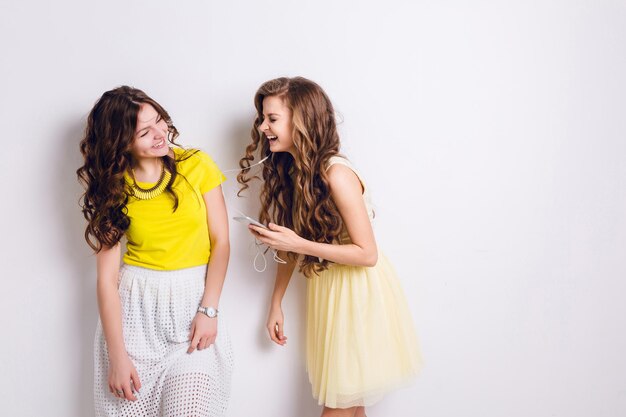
(295, 191)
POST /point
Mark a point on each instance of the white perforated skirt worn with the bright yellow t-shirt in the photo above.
(157, 310)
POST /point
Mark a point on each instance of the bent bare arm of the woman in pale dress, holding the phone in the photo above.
(346, 192)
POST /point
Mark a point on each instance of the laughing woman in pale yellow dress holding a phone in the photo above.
(360, 338)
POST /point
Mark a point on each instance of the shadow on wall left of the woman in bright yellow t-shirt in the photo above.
(68, 193)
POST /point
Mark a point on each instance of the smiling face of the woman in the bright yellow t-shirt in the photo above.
(150, 139)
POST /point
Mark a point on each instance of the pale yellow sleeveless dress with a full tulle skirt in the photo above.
(361, 341)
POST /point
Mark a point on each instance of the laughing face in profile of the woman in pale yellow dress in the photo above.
(277, 127)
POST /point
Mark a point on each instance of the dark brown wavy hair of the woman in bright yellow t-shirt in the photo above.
(106, 148)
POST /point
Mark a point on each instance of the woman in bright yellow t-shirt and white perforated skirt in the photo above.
(159, 348)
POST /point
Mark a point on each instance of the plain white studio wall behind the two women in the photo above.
(492, 135)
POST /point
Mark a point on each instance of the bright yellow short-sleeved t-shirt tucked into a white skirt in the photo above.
(161, 239)
